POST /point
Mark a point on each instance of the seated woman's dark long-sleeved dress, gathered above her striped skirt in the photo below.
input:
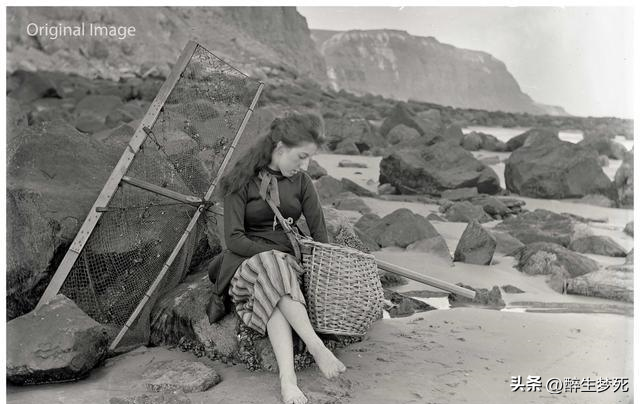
(249, 223)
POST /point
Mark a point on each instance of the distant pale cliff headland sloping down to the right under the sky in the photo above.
(398, 65)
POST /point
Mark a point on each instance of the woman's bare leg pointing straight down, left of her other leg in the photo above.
(279, 332)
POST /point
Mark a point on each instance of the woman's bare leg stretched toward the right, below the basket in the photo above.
(296, 314)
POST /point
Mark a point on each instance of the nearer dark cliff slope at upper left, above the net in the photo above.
(248, 37)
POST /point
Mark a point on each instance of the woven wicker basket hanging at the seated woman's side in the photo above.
(343, 291)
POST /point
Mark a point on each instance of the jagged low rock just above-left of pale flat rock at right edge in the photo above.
(552, 259)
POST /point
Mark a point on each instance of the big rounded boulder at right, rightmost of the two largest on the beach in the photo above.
(545, 167)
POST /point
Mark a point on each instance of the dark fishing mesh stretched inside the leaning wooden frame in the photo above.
(139, 229)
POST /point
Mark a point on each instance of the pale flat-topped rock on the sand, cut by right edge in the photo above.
(606, 283)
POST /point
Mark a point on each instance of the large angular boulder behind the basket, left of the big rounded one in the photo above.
(434, 169)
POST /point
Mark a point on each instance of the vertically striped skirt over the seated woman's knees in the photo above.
(258, 285)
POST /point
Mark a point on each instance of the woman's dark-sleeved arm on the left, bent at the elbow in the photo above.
(234, 232)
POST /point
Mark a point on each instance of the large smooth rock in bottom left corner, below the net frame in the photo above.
(57, 342)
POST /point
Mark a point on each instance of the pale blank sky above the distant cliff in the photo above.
(580, 58)
